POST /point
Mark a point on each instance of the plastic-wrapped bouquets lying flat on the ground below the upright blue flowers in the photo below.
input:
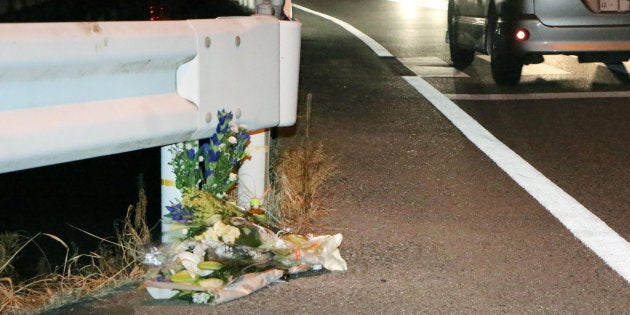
(209, 263)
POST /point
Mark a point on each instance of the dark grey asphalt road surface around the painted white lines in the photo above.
(431, 224)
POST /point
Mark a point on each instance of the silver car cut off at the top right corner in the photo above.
(520, 32)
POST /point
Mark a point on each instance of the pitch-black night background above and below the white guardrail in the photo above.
(92, 194)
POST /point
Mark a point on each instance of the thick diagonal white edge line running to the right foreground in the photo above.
(587, 227)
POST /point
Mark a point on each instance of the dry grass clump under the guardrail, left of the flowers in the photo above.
(114, 263)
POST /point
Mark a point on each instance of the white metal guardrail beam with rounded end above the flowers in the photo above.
(71, 91)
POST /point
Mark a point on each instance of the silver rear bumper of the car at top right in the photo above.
(600, 40)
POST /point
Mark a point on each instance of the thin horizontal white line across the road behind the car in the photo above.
(537, 96)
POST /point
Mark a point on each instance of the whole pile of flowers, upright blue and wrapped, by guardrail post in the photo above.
(219, 251)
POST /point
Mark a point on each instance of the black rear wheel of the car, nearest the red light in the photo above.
(506, 68)
